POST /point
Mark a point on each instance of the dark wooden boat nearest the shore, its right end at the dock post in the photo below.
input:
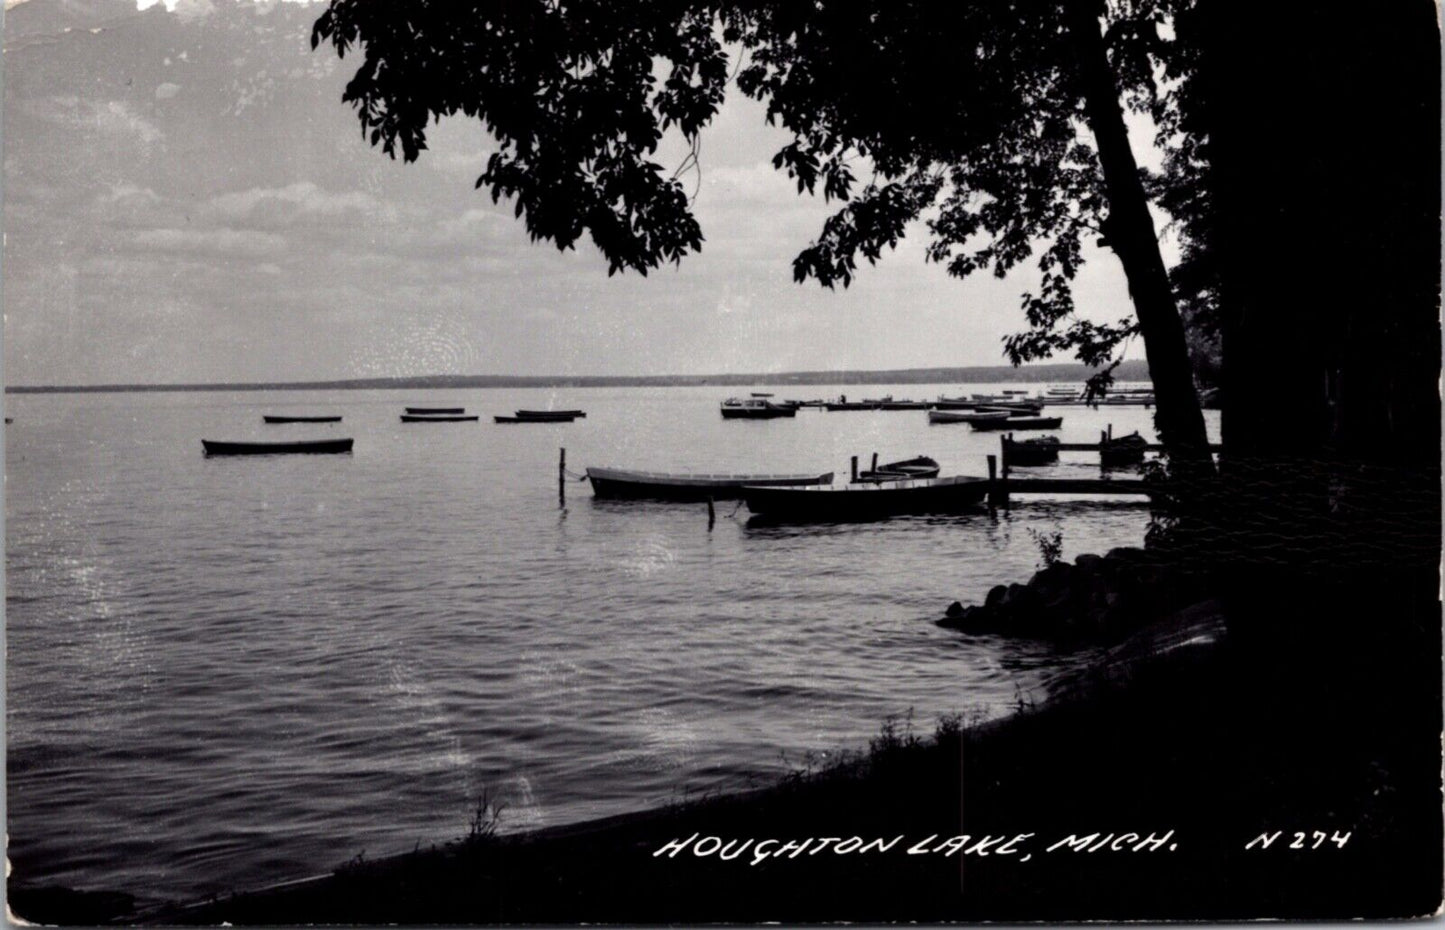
(866, 500)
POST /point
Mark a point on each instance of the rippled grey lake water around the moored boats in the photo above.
(238, 671)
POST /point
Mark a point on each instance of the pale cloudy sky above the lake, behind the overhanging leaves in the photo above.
(189, 200)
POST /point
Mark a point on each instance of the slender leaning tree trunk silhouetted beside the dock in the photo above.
(1132, 236)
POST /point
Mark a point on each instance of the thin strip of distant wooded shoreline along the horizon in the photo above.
(1061, 375)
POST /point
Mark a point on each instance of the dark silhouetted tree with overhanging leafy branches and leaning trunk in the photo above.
(996, 123)
